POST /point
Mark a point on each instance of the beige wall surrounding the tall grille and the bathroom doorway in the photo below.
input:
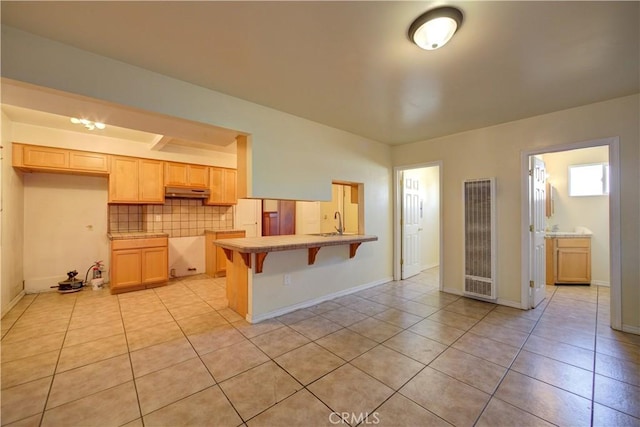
(496, 151)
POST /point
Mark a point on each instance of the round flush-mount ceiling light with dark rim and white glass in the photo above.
(434, 28)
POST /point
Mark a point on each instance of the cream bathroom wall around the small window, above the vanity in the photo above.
(591, 212)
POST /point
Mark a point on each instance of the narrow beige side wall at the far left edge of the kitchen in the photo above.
(11, 223)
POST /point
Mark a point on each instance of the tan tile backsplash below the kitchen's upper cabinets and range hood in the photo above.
(177, 217)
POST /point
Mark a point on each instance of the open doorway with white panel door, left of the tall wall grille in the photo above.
(418, 225)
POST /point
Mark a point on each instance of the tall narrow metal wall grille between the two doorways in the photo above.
(480, 238)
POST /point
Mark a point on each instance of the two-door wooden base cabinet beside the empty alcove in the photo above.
(138, 263)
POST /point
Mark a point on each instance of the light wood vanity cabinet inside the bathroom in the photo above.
(569, 259)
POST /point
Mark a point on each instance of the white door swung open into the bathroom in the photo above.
(537, 212)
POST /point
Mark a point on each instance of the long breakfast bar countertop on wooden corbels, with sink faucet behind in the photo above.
(290, 242)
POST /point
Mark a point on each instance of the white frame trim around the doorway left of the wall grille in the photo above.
(397, 216)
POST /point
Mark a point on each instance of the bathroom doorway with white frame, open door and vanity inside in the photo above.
(597, 217)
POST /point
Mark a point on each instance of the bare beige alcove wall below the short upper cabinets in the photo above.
(65, 219)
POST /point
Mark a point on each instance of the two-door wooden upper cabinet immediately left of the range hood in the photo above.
(134, 180)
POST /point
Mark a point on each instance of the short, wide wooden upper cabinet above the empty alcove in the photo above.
(35, 158)
